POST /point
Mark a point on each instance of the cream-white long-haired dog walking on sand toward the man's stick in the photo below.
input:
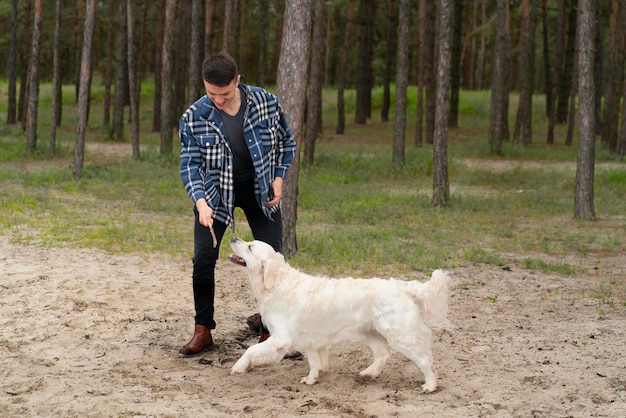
(309, 313)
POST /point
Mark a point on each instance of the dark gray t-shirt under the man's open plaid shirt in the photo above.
(243, 169)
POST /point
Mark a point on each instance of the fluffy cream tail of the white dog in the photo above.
(432, 298)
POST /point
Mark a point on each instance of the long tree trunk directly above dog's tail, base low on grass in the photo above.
(441, 186)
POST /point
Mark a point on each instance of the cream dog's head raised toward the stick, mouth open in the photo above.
(259, 258)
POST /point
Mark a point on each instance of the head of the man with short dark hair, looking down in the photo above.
(221, 79)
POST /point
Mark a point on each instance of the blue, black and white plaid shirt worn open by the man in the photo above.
(206, 161)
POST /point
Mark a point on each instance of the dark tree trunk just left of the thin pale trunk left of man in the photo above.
(121, 73)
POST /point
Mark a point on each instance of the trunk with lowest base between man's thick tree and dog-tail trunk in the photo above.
(402, 81)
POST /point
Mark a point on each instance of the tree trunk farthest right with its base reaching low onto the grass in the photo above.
(583, 199)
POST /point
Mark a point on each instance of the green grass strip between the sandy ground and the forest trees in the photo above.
(358, 214)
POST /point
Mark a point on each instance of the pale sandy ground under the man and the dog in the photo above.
(86, 333)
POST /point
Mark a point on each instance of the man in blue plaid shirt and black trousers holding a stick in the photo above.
(236, 150)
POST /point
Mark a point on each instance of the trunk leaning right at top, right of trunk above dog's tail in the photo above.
(499, 82)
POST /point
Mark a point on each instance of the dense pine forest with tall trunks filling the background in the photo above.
(571, 52)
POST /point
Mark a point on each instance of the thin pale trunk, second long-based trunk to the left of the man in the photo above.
(133, 84)
